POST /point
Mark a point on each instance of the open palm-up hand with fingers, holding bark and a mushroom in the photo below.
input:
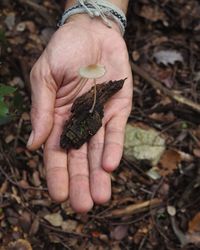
(82, 174)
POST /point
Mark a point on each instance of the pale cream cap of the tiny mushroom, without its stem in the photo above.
(92, 71)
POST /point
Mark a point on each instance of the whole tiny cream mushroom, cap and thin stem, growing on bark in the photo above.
(92, 71)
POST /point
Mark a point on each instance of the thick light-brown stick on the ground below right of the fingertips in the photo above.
(136, 208)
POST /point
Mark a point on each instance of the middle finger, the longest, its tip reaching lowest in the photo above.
(80, 197)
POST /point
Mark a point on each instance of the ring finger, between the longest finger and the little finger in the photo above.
(100, 183)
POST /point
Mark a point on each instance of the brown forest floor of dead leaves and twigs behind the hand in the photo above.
(145, 213)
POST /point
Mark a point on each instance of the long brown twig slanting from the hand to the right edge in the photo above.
(158, 86)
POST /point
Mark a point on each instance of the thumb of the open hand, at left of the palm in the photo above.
(43, 98)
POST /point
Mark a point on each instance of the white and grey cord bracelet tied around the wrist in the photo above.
(97, 8)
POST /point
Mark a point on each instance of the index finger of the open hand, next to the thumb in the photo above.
(55, 160)
